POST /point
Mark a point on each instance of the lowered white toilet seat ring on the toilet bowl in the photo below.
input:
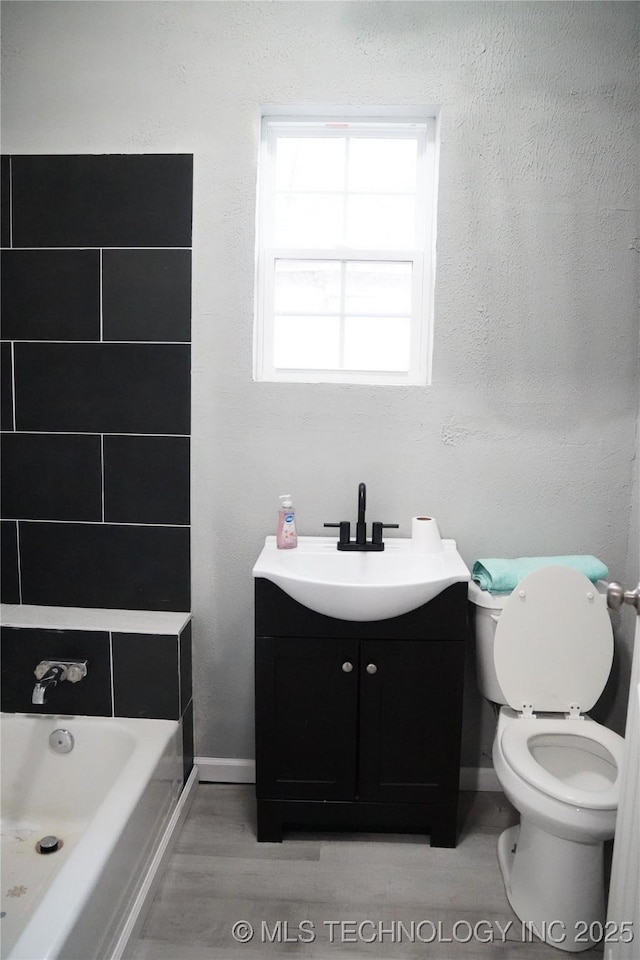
(590, 738)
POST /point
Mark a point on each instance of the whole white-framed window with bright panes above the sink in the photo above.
(345, 247)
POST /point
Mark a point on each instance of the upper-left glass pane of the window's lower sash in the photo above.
(307, 286)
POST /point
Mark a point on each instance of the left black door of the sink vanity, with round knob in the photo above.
(306, 718)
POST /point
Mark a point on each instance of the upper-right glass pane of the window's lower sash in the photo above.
(378, 288)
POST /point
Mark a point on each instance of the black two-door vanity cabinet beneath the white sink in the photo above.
(358, 723)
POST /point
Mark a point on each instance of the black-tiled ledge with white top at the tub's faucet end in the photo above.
(139, 664)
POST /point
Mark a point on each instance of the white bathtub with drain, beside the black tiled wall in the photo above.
(110, 800)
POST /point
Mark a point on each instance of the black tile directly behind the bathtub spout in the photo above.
(22, 651)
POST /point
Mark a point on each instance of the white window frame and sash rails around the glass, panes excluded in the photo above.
(422, 257)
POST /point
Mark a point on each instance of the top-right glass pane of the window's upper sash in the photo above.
(382, 165)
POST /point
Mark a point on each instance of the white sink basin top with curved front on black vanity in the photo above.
(360, 586)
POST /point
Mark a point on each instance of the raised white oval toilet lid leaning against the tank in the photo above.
(554, 642)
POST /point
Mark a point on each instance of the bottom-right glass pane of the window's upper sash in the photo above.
(381, 221)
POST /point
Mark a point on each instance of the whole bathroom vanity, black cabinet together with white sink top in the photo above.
(358, 704)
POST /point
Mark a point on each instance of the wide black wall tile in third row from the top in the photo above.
(103, 387)
